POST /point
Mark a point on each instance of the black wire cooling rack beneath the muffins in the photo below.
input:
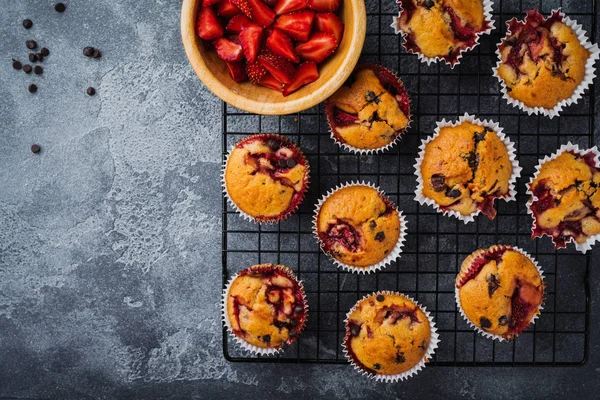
(436, 245)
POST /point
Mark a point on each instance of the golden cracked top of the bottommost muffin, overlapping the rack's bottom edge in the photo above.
(387, 334)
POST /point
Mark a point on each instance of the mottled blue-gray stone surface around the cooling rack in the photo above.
(110, 268)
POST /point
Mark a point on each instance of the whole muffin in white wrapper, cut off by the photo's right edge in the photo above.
(565, 202)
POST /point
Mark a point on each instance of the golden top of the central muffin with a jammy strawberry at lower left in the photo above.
(358, 226)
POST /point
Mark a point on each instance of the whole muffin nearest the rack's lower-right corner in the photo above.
(500, 291)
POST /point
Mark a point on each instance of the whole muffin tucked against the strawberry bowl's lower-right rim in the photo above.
(370, 111)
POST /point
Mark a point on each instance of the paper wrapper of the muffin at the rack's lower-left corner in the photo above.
(248, 347)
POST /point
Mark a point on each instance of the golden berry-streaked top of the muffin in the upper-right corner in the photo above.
(542, 60)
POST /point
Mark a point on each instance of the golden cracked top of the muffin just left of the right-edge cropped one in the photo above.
(465, 167)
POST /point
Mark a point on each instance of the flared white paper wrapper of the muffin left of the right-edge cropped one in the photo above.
(510, 148)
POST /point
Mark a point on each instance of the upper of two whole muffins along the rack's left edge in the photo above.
(265, 177)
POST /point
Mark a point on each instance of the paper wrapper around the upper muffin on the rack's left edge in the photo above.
(285, 214)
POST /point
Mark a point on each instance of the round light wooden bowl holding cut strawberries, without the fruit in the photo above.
(261, 100)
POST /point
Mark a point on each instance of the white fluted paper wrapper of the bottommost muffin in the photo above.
(434, 340)
